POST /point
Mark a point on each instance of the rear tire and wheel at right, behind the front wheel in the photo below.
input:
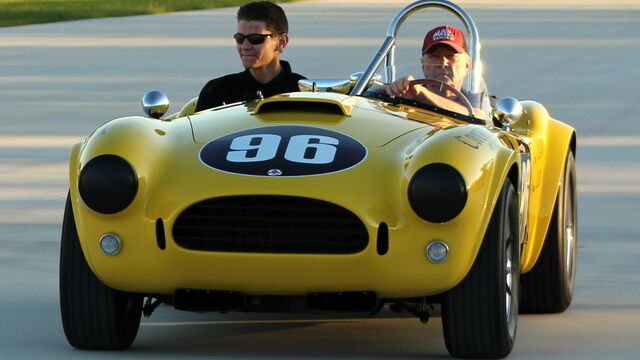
(548, 288)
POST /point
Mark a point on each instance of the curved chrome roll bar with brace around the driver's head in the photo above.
(387, 50)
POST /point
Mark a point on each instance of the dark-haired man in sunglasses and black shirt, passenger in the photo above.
(261, 38)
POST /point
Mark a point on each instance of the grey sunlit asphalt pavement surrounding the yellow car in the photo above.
(58, 82)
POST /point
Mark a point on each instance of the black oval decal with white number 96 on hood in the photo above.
(283, 151)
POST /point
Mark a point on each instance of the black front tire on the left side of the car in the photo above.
(94, 316)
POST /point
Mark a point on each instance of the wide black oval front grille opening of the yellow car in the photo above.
(270, 224)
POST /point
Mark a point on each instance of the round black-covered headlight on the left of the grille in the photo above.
(108, 184)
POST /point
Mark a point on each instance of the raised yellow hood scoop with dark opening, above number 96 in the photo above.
(326, 103)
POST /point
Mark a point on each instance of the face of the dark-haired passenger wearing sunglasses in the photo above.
(258, 55)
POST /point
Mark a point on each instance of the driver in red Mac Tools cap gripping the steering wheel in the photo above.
(444, 58)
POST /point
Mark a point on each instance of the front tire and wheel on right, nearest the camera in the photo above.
(480, 315)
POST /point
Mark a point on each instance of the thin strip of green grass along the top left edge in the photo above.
(24, 12)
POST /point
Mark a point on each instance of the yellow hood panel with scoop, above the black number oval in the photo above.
(371, 122)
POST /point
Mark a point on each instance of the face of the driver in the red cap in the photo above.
(444, 63)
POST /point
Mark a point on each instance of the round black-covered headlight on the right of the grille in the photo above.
(437, 193)
